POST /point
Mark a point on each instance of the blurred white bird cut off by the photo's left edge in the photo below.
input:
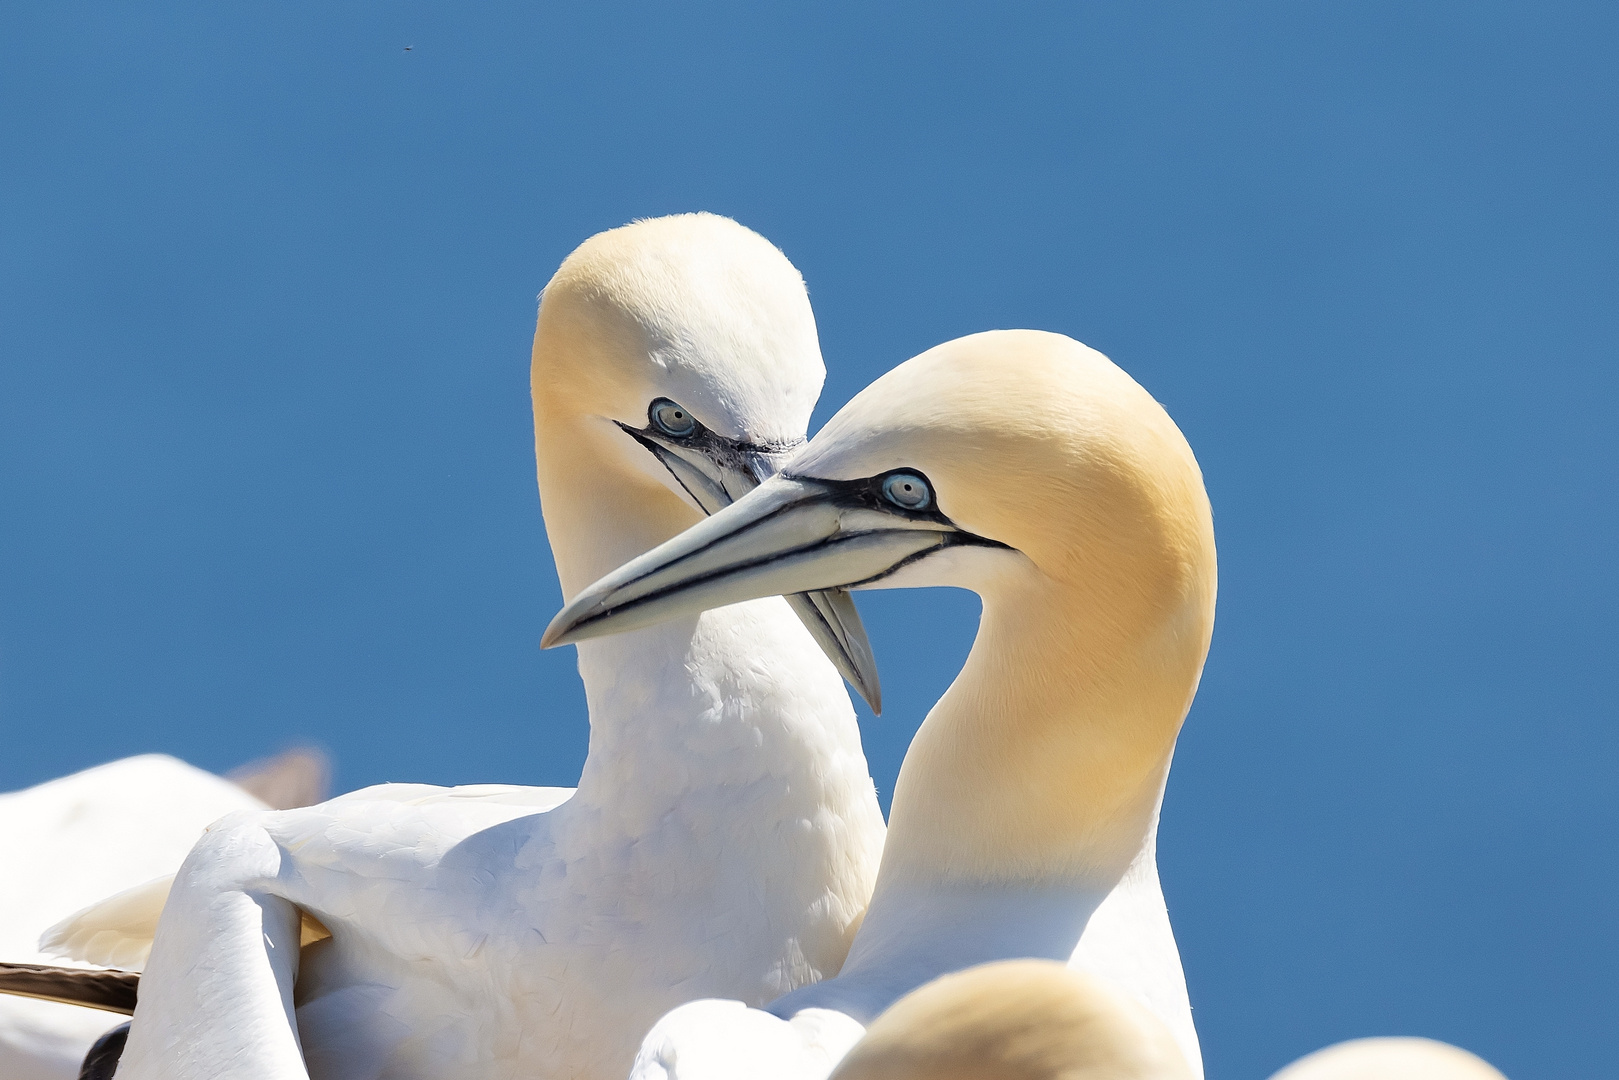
(69, 843)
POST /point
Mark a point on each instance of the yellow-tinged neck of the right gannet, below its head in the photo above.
(1045, 762)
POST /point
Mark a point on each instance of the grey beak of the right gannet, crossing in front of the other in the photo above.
(789, 537)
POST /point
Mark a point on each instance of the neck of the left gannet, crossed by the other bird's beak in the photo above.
(736, 699)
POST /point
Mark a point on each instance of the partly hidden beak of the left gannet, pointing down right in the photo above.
(720, 472)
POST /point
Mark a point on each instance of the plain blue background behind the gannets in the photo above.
(266, 467)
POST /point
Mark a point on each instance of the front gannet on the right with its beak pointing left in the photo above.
(1029, 469)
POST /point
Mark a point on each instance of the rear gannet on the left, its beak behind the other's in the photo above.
(725, 835)
